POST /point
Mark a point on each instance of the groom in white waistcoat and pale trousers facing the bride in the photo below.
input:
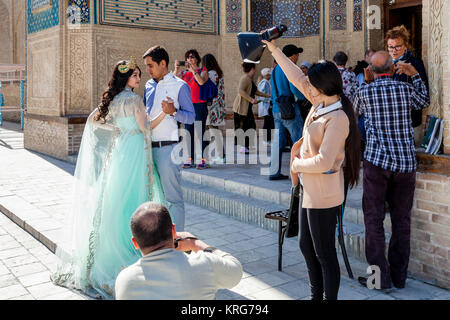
(167, 93)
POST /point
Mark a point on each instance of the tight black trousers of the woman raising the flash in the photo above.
(317, 243)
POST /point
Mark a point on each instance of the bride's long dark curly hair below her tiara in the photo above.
(116, 84)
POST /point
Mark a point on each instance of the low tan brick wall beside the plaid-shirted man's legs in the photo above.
(430, 230)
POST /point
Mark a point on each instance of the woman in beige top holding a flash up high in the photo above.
(330, 137)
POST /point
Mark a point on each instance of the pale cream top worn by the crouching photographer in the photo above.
(168, 274)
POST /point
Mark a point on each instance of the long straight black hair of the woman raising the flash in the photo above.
(326, 78)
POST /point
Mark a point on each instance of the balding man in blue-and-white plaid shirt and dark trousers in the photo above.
(389, 163)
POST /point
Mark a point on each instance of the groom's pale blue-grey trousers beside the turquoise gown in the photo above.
(170, 176)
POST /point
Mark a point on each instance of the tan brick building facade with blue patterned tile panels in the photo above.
(68, 68)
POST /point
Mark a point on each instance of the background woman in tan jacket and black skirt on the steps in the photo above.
(242, 107)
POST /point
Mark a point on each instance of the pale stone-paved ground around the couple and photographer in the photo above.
(36, 190)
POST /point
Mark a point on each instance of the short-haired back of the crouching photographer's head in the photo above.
(151, 224)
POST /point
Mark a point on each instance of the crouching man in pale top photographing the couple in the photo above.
(165, 271)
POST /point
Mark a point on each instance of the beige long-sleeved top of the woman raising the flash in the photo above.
(323, 147)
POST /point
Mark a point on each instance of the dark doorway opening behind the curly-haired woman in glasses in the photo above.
(408, 13)
